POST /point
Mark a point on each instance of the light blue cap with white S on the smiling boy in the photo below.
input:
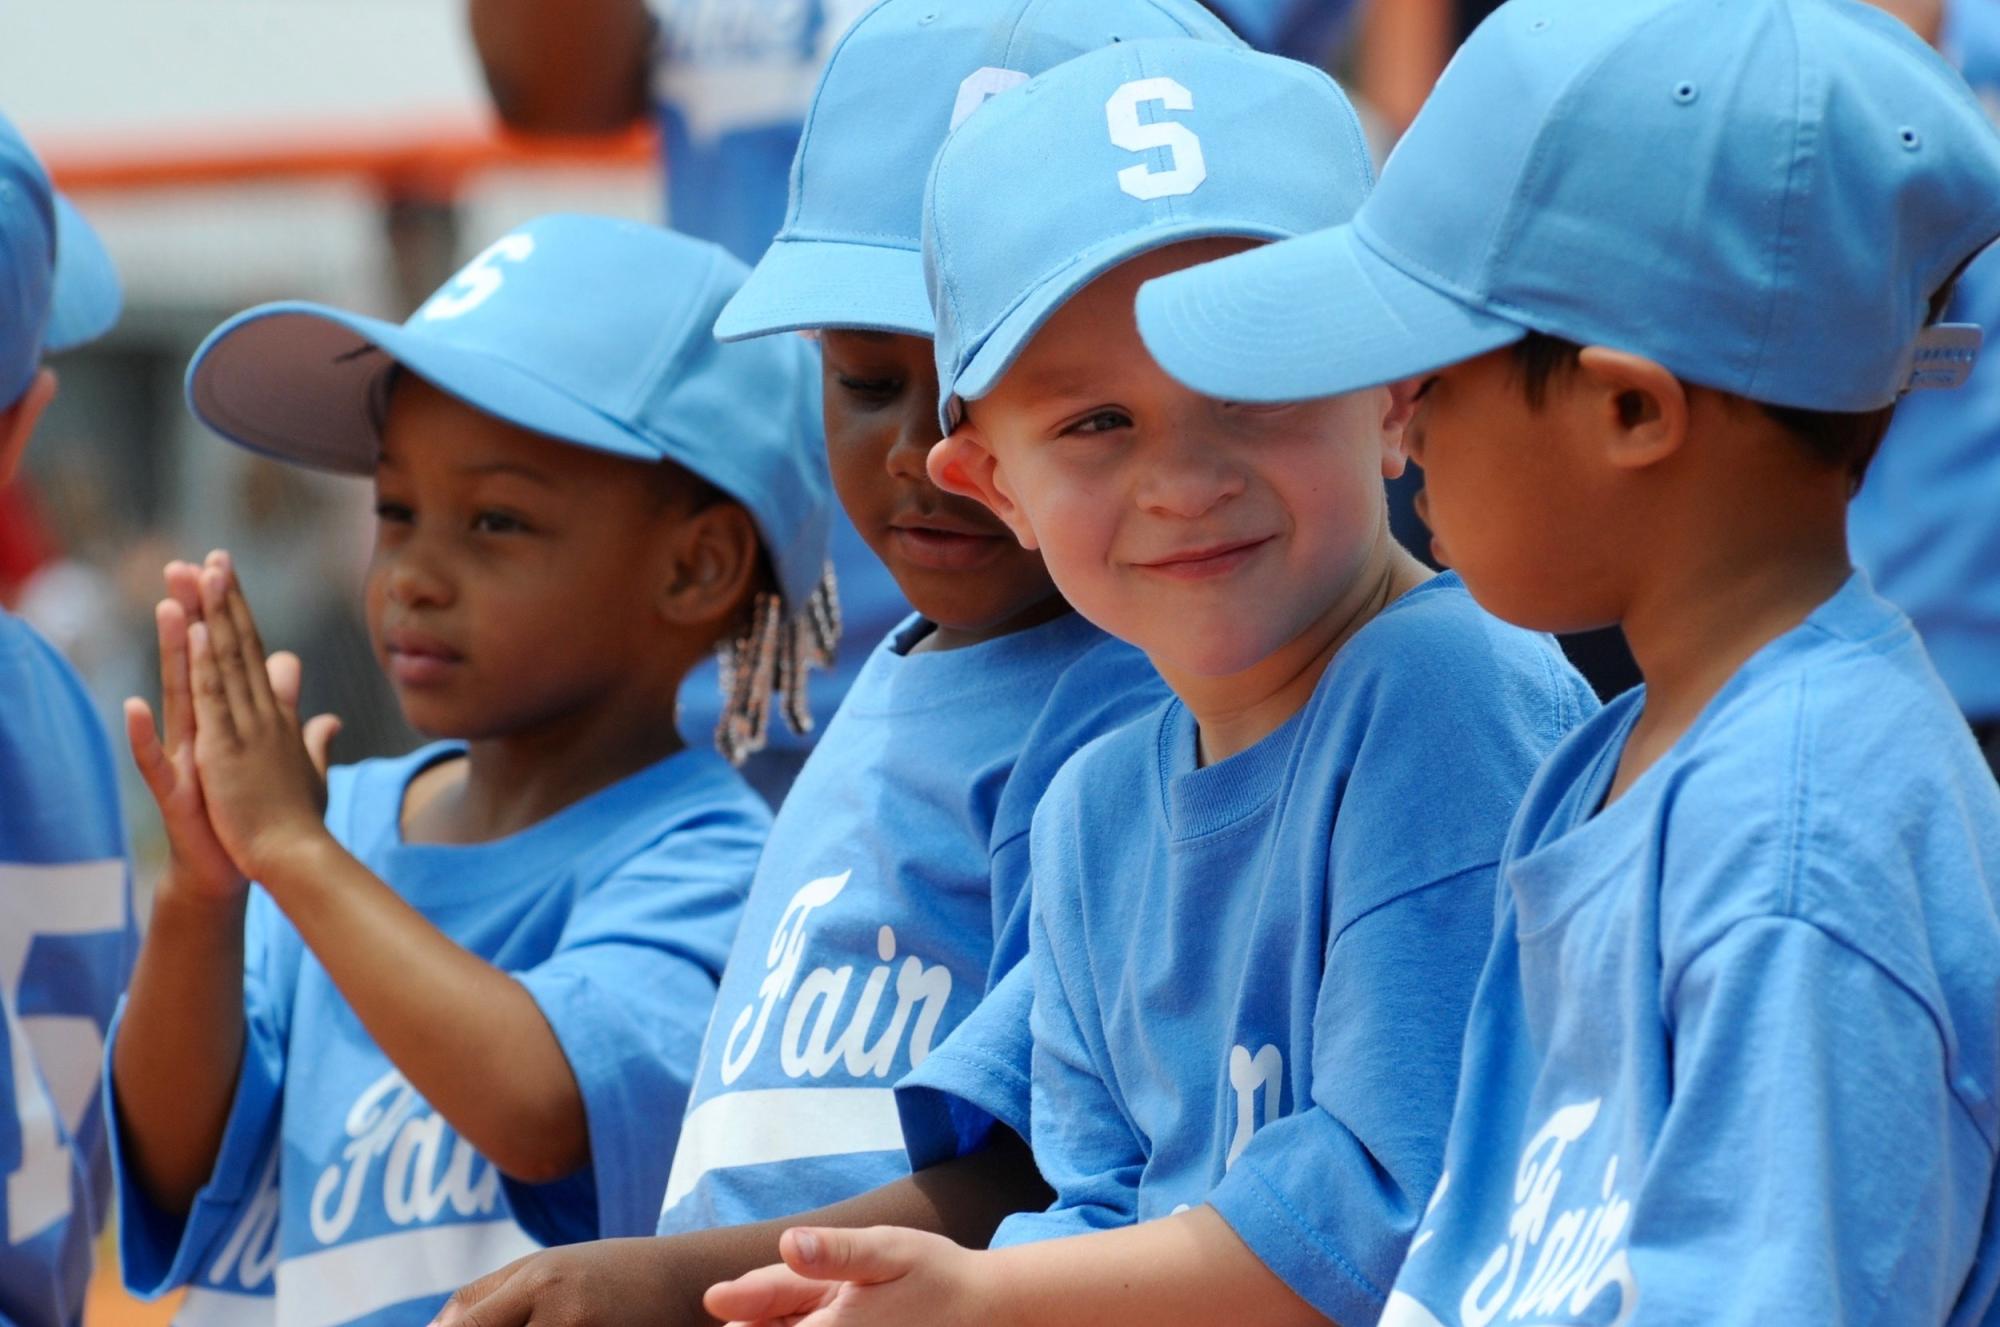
(1109, 157)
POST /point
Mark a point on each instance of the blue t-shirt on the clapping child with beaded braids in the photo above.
(345, 1198)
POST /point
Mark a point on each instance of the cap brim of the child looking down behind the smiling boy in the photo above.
(809, 285)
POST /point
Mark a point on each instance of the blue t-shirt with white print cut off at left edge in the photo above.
(67, 948)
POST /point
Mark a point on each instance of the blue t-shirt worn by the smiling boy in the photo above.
(1253, 978)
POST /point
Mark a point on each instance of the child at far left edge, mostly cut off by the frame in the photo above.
(67, 942)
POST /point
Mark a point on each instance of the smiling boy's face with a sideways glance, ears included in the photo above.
(1205, 533)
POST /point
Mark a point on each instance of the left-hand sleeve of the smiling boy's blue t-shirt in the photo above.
(1083, 1140)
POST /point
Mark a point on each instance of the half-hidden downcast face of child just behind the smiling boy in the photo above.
(955, 563)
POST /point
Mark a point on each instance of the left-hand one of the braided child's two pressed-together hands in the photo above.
(165, 756)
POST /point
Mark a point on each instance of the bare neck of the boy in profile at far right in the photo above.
(1701, 617)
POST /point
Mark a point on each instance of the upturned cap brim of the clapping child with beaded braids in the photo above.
(301, 383)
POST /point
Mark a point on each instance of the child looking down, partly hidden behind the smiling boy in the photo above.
(891, 900)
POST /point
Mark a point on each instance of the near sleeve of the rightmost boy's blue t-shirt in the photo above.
(1813, 1120)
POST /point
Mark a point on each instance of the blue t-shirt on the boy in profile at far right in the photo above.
(1737, 1052)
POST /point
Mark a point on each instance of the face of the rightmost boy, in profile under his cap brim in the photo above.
(1515, 497)
